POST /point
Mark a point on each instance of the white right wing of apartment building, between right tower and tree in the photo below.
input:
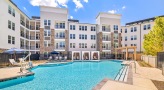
(133, 33)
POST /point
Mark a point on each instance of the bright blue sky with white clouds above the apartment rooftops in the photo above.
(87, 10)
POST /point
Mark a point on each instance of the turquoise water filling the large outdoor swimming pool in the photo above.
(73, 76)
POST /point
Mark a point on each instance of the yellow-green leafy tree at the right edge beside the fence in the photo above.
(154, 40)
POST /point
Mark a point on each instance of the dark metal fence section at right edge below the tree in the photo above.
(160, 59)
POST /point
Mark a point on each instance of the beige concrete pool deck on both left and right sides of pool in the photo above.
(141, 79)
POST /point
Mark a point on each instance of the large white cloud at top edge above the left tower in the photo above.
(52, 3)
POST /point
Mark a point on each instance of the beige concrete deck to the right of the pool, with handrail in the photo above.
(141, 80)
